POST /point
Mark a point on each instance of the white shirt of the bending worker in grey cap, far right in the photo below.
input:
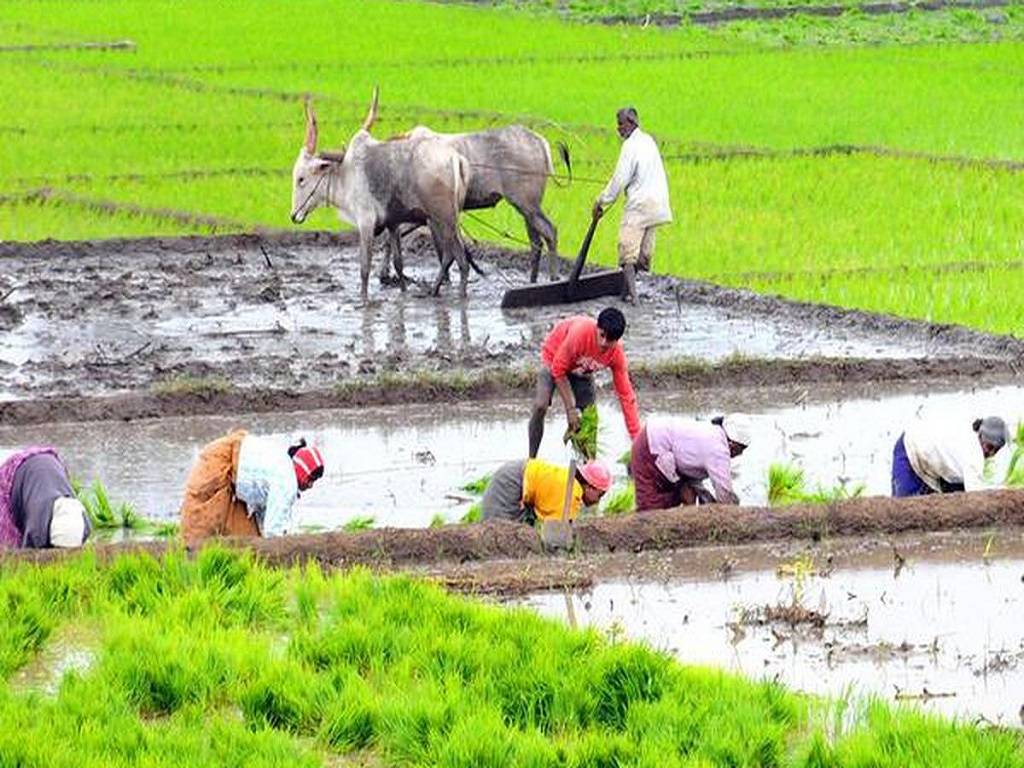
(941, 450)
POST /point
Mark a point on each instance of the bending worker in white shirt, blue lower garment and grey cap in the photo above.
(942, 458)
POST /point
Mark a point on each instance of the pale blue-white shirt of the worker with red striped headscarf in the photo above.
(267, 484)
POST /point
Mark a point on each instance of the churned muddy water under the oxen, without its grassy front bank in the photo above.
(291, 318)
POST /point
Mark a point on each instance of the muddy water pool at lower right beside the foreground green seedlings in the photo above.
(950, 622)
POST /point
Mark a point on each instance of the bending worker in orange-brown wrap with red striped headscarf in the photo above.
(246, 486)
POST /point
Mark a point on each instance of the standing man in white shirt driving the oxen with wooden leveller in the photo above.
(641, 175)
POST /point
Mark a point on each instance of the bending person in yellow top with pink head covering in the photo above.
(532, 489)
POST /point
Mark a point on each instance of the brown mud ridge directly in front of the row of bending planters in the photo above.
(662, 531)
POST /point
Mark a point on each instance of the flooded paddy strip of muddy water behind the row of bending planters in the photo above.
(405, 465)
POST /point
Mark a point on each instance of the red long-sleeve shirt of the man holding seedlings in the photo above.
(572, 348)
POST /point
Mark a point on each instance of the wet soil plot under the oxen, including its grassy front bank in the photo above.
(134, 328)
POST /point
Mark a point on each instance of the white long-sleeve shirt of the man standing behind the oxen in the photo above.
(642, 175)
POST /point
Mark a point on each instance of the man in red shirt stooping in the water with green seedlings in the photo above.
(574, 351)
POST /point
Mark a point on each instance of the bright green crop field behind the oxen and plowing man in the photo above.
(863, 161)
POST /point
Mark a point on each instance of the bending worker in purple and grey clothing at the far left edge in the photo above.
(38, 507)
